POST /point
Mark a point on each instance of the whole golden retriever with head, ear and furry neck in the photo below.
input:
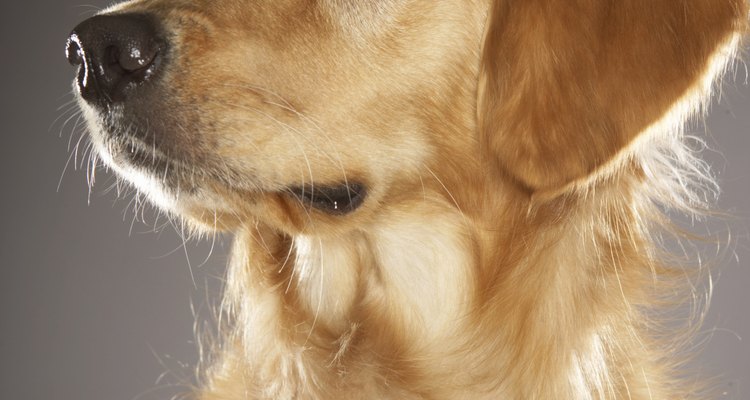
(430, 199)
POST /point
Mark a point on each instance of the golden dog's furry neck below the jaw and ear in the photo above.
(405, 295)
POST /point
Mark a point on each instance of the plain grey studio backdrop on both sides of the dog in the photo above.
(91, 310)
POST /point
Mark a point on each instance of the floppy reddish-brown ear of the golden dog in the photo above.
(566, 85)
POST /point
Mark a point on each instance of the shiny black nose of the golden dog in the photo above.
(115, 54)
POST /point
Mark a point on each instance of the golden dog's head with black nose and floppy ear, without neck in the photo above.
(296, 111)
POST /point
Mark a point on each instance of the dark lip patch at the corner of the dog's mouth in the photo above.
(337, 200)
